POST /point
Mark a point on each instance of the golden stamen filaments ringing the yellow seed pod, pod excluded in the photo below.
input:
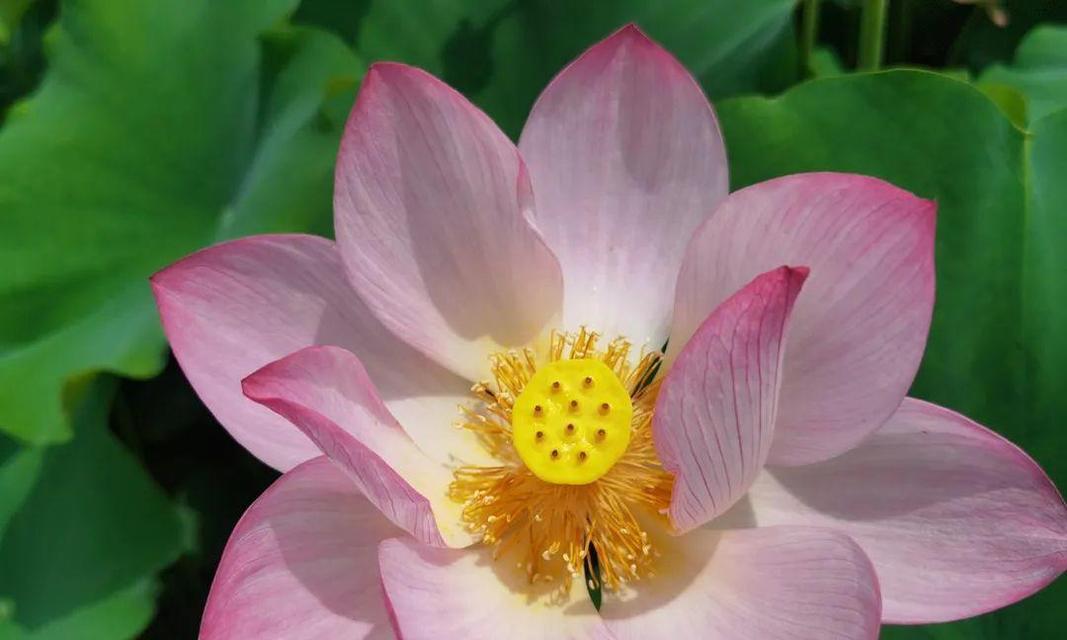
(550, 527)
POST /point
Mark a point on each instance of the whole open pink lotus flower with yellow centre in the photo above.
(481, 426)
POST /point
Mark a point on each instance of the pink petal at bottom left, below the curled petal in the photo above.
(301, 565)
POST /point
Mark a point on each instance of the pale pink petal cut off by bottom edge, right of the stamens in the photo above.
(776, 584)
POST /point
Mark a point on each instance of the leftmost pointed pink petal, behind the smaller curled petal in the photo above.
(234, 308)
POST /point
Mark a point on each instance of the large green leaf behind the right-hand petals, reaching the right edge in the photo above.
(998, 345)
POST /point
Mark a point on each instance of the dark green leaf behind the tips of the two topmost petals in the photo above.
(503, 54)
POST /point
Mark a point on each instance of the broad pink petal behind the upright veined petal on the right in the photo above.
(859, 330)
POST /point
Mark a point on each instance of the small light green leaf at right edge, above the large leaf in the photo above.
(1040, 72)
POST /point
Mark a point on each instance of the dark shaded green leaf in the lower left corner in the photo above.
(78, 557)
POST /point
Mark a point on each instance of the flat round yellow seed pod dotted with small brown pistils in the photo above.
(571, 423)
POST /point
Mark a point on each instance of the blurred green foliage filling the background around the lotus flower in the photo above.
(135, 133)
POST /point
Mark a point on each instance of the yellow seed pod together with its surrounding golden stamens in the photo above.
(578, 468)
